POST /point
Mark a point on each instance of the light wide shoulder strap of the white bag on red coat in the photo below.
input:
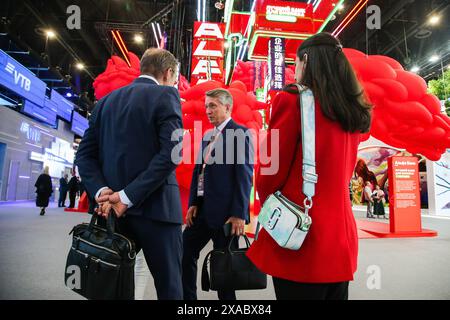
(308, 124)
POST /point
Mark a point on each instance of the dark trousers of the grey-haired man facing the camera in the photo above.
(195, 239)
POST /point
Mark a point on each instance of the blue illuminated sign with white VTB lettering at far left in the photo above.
(20, 80)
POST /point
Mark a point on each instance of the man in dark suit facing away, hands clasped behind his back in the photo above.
(125, 160)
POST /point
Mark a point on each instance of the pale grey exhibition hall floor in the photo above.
(33, 250)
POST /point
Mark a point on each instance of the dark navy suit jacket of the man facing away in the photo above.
(128, 146)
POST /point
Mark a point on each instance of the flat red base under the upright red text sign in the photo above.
(372, 229)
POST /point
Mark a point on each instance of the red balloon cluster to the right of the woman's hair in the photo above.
(404, 115)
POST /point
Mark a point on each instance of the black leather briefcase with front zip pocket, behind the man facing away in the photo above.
(100, 264)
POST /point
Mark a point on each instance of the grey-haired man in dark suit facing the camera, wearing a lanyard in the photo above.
(220, 188)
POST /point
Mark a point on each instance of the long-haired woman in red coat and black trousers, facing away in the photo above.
(326, 262)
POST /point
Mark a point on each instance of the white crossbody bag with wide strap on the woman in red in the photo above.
(285, 221)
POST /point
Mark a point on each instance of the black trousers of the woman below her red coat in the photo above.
(290, 290)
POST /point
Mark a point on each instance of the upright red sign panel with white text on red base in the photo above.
(404, 196)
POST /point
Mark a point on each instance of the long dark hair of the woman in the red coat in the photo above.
(333, 81)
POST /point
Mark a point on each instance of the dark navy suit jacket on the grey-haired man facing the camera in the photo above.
(227, 187)
